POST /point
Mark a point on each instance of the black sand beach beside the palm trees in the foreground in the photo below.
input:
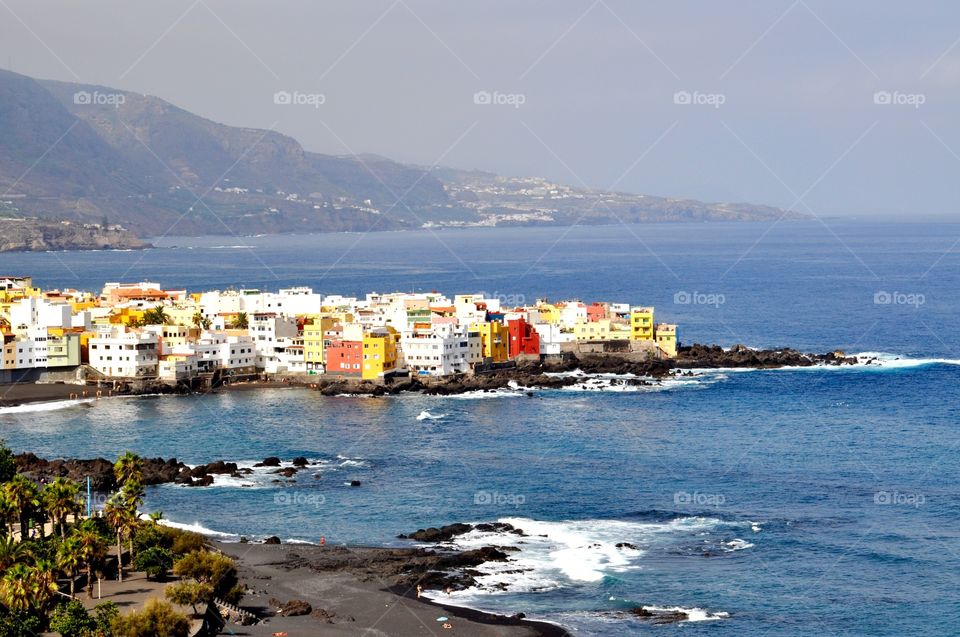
(354, 590)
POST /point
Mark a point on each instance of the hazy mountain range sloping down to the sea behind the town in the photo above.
(99, 156)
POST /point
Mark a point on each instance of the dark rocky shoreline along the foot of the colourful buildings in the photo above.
(523, 375)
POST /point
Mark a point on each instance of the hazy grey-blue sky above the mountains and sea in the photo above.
(787, 111)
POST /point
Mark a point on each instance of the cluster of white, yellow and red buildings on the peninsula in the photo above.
(142, 332)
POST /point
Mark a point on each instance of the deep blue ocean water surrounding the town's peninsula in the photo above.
(796, 502)
